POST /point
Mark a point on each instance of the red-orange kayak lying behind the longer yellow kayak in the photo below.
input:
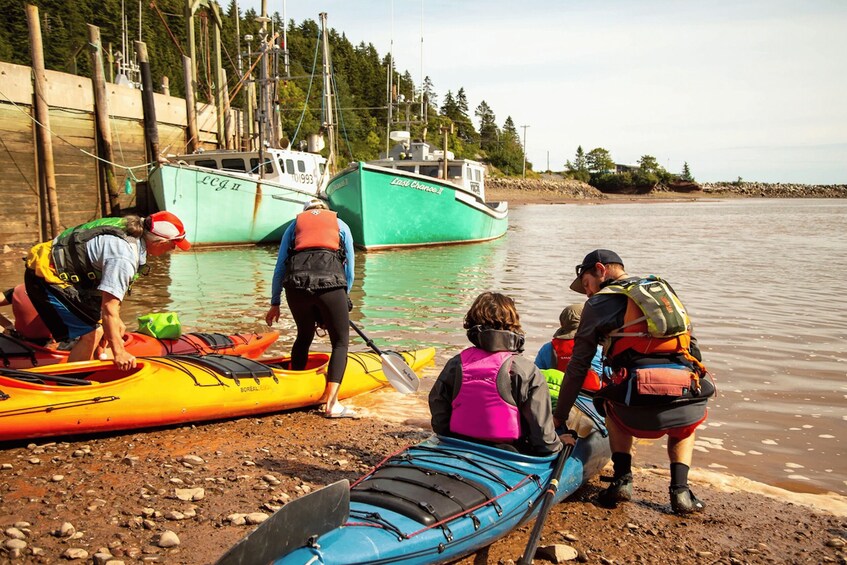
(16, 353)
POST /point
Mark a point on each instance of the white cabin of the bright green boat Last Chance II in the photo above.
(421, 158)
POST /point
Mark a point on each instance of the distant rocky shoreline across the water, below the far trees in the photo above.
(555, 189)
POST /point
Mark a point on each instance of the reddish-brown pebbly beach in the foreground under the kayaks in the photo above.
(186, 494)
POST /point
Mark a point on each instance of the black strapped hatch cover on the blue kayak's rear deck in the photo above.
(424, 495)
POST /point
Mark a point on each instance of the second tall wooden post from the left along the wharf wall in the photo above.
(104, 131)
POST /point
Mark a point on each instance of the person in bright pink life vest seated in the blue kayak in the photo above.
(489, 392)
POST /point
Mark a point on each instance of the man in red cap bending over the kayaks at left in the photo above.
(78, 280)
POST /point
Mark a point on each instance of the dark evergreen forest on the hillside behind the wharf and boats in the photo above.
(360, 73)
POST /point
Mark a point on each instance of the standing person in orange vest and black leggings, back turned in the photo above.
(315, 267)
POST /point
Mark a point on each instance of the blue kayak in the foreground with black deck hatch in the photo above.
(515, 482)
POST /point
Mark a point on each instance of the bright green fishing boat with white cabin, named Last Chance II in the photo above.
(411, 198)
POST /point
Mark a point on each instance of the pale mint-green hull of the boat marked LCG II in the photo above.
(225, 209)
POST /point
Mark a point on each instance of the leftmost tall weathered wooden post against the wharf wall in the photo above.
(42, 115)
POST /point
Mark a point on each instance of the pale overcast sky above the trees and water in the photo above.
(754, 89)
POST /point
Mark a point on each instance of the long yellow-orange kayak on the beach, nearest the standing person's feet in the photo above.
(95, 396)
